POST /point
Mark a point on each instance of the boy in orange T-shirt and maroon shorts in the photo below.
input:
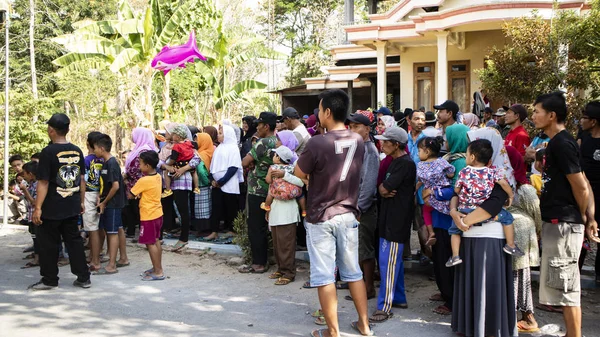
(149, 189)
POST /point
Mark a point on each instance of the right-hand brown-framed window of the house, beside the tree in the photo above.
(459, 84)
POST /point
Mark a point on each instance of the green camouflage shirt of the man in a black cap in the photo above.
(261, 152)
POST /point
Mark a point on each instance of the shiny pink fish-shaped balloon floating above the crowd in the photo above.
(172, 57)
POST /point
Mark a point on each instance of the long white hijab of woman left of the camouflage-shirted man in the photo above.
(226, 155)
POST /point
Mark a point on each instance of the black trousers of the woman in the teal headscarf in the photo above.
(444, 276)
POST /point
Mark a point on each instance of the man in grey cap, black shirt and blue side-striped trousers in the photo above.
(397, 210)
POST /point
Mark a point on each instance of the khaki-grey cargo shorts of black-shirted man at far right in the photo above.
(560, 283)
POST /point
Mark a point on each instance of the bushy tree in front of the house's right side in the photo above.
(543, 56)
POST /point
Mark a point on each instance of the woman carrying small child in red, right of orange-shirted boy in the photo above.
(181, 185)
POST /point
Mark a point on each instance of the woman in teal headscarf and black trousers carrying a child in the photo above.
(456, 136)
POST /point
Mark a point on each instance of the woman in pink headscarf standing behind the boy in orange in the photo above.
(143, 140)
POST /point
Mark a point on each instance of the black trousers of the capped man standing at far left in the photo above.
(48, 237)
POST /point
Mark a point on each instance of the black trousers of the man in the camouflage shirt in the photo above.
(257, 230)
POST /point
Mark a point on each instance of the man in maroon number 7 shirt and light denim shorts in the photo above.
(332, 163)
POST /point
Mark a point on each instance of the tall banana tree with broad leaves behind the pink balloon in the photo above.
(126, 46)
